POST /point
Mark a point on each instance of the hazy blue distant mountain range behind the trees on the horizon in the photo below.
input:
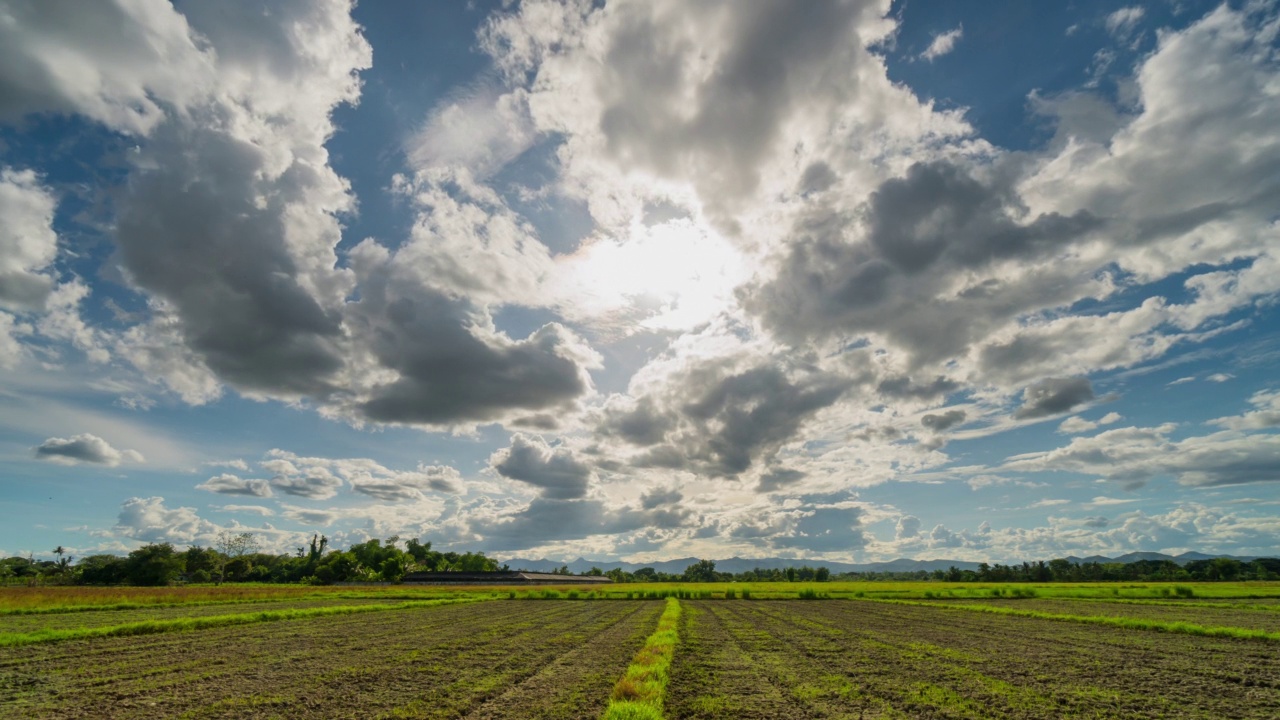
(902, 566)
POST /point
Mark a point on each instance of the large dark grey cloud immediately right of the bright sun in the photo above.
(880, 268)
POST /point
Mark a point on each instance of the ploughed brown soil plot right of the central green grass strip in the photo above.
(838, 659)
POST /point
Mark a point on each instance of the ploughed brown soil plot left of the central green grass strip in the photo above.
(547, 659)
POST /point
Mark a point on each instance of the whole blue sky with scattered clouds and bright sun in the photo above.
(642, 280)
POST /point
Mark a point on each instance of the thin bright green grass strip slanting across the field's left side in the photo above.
(185, 625)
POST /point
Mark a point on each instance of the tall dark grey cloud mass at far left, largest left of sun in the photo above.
(203, 233)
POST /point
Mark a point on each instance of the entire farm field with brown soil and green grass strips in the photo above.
(874, 650)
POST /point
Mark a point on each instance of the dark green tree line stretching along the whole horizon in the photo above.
(236, 558)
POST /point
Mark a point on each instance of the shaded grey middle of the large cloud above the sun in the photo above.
(771, 63)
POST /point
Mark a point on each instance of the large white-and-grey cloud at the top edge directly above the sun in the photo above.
(715, 98)
